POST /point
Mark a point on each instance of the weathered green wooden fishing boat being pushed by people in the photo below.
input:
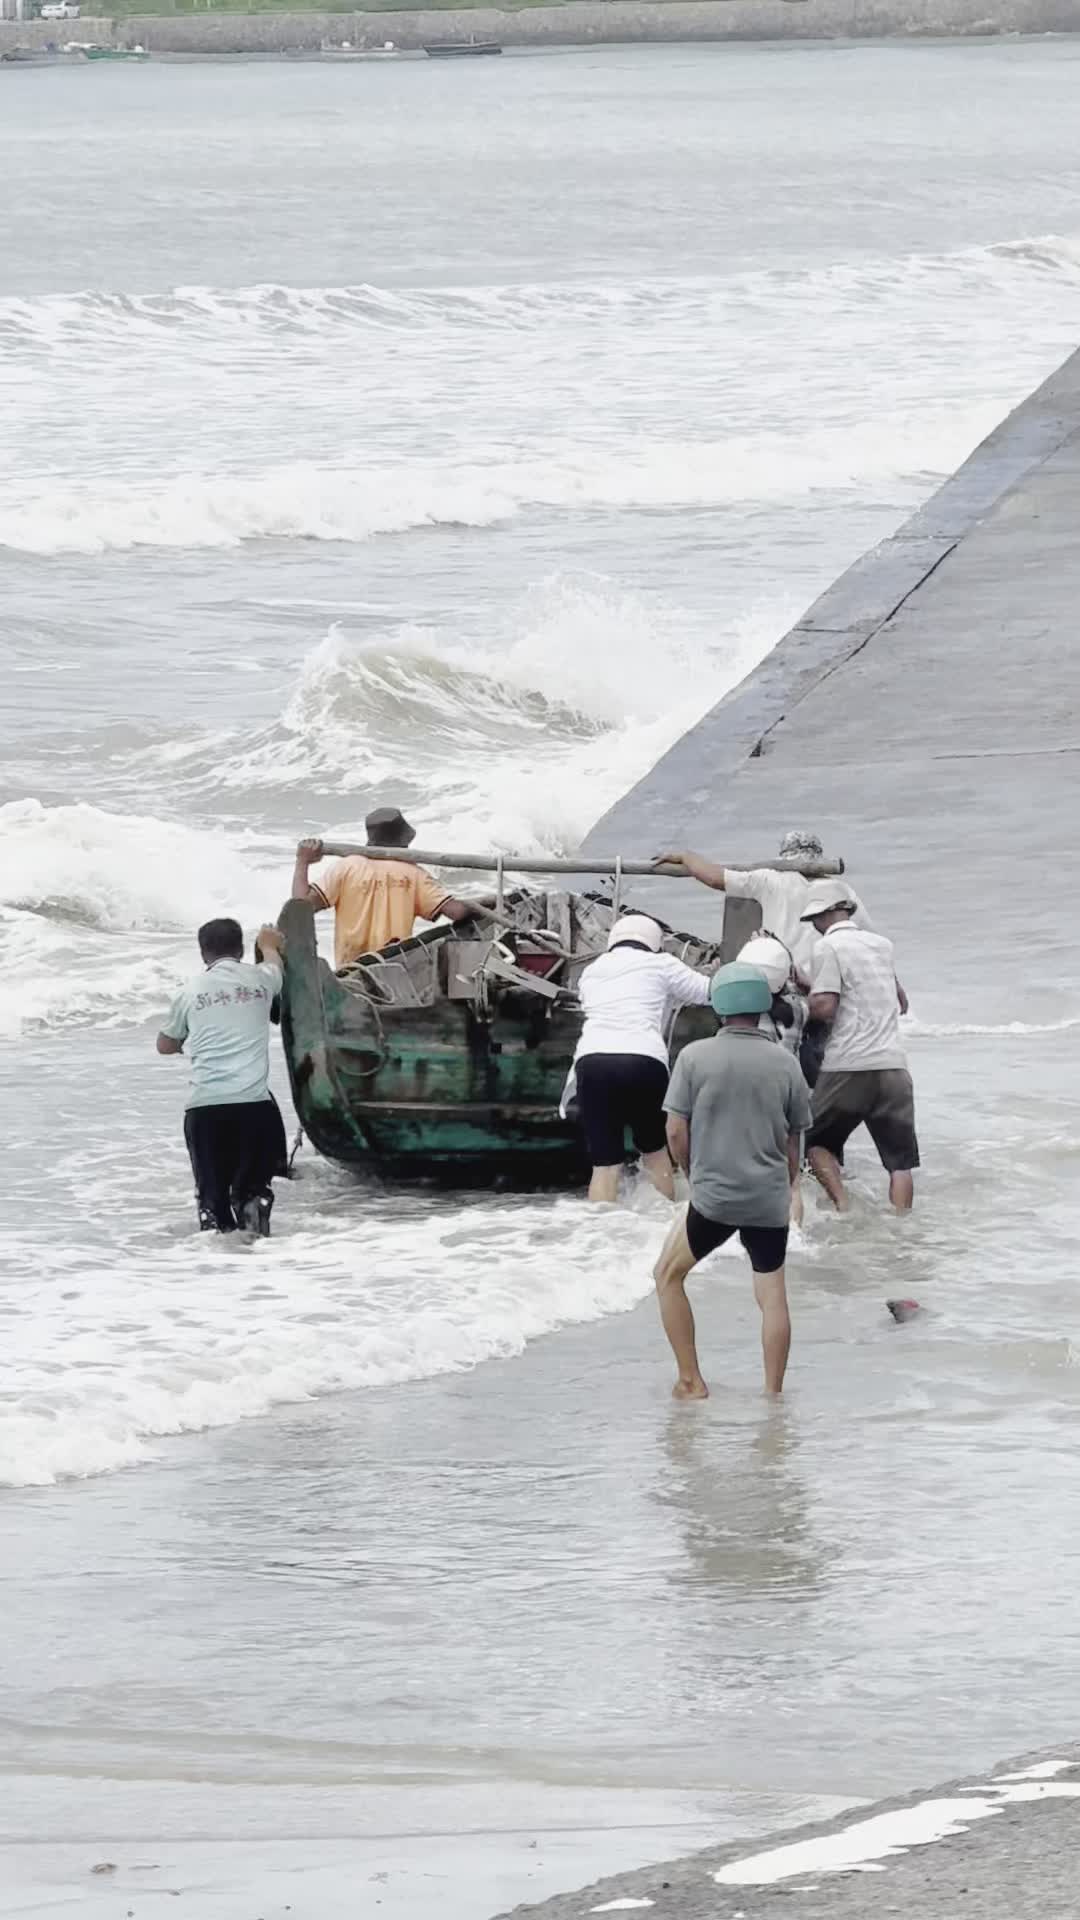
(445, 1057)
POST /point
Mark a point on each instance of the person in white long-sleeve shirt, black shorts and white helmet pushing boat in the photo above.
(622, 1065)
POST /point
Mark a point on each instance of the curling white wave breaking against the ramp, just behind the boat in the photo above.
(518, 740)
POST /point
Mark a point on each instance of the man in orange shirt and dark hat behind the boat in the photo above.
(376, 901)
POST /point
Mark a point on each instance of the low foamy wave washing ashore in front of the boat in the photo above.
(324, 1308)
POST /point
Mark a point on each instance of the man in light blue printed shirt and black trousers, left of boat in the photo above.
(232, 1124)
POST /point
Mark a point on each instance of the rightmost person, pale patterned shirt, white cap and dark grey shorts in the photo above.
(864, 1076)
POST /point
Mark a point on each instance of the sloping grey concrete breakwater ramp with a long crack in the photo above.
(925, 719)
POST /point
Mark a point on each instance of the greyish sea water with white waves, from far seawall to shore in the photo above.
(456, 439)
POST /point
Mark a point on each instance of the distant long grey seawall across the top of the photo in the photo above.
(576, 24)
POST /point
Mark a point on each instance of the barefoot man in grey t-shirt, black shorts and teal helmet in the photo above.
(735, 1113)
